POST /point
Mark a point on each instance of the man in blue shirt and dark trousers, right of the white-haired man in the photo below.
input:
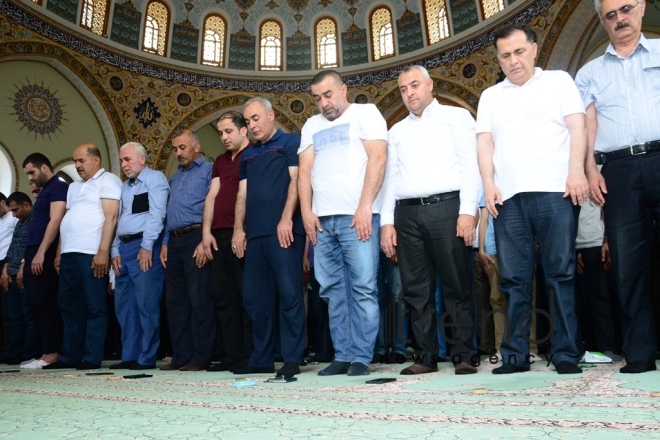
(188, 292)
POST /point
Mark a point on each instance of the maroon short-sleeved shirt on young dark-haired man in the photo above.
(227, 170)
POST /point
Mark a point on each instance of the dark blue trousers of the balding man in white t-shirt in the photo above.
(84, 311)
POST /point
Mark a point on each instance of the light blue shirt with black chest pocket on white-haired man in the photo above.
(142, 208)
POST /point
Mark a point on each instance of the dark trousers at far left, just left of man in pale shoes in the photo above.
(24, 338)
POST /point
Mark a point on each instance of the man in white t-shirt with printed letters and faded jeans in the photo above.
(342, 159)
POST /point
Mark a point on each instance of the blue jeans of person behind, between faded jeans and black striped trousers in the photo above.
(389, 282)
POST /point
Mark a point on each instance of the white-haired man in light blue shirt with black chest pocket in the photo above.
(135, 259)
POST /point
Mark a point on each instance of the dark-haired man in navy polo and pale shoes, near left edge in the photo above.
(39, 275)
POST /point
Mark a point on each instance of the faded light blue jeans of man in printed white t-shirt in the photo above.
(346, 268)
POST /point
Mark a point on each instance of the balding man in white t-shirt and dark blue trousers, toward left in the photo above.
(86, 235)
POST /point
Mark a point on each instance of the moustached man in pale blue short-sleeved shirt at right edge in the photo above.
(621, 90)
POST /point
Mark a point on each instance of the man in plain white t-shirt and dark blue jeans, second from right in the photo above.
(532, 141)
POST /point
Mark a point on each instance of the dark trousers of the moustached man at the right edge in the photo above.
(632, 211)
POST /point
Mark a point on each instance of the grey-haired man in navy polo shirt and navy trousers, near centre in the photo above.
(268, 221)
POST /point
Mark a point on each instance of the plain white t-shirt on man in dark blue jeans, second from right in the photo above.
(532, 141)
